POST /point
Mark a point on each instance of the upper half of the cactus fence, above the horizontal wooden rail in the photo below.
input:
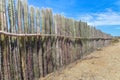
(25, 19)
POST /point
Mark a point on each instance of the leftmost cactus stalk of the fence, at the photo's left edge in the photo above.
(3, 68)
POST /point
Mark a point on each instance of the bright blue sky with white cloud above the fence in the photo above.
(104, 14)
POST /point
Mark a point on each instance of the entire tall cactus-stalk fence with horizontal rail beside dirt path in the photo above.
(34, 42)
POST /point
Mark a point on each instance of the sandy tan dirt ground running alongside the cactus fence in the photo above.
(100, 65)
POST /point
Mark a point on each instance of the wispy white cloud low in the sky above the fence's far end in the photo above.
(104, 18)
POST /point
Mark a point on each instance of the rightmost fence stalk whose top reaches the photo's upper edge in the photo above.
(25, 39)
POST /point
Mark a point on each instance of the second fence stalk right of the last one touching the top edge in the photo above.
(39, 42)
